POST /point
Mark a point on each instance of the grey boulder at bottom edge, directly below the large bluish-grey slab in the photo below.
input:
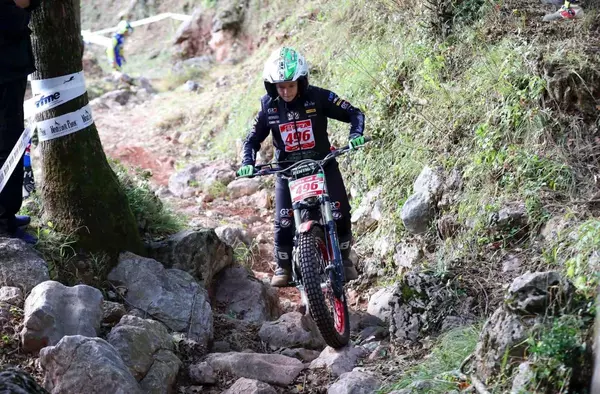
(147, 349)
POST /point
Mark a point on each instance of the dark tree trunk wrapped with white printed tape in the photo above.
(80, 192)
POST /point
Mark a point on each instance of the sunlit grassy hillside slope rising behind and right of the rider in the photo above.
(502, 107)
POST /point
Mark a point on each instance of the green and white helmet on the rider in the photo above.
(285, 65)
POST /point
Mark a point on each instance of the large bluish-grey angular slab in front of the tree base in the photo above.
(171, 296)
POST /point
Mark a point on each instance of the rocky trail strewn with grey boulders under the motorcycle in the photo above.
(198, 314)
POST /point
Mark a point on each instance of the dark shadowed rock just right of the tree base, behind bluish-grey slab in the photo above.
(200, 253)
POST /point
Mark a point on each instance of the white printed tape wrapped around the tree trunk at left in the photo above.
(49, 93)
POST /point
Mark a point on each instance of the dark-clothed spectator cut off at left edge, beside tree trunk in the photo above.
(16, 62)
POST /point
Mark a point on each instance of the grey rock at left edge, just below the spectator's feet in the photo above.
(20, 265)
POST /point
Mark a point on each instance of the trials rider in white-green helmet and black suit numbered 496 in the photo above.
(296, 114)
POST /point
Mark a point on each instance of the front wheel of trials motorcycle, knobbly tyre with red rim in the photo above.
(329, 312)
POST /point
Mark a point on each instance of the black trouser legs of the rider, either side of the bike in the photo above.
(284, 220)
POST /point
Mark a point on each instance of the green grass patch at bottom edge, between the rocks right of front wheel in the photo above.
(438, 369)
